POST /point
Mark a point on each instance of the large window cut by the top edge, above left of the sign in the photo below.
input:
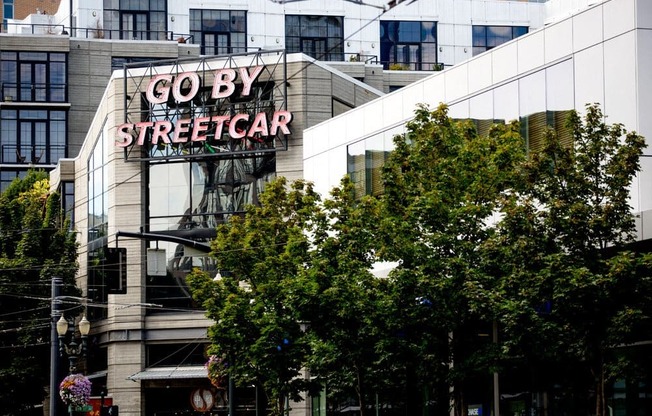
(135, 19)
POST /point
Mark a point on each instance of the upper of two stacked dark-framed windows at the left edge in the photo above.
(33, 76)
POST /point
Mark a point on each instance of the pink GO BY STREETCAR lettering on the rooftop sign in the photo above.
(183, 88)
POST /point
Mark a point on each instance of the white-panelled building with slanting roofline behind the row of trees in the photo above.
(599, 53)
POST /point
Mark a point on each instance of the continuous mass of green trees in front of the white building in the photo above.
(508, 261)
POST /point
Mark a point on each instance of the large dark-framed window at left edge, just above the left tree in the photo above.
(32, 136)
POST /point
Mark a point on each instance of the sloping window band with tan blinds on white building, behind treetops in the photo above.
(539, 101)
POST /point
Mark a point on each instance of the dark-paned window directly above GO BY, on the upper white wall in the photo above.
(219, 32)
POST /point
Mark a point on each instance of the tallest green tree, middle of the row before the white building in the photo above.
(442, 185)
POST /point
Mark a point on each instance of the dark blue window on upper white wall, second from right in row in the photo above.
(410, 45)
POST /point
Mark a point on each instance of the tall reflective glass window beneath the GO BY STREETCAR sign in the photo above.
(189, 200)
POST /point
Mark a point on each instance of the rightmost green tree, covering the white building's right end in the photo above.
(570, 289)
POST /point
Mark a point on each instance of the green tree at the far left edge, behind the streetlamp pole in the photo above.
(35, 245)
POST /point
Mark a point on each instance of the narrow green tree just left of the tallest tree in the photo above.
(345, 310)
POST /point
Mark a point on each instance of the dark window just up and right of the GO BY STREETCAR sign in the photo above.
(321, 37)
